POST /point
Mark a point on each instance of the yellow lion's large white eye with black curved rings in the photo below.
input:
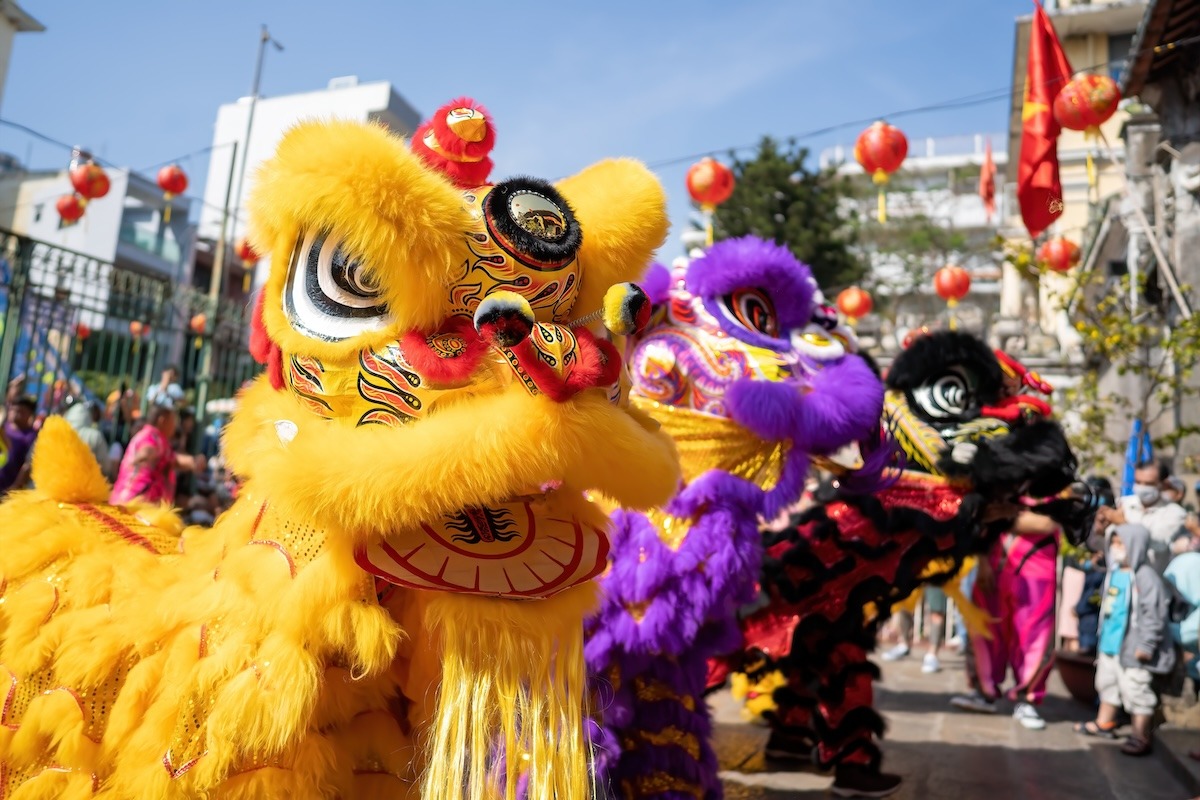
(331, 294)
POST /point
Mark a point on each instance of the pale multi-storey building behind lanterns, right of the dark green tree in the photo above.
(939, 182)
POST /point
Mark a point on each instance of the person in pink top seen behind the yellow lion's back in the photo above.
(148, 468)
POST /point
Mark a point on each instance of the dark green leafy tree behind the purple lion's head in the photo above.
(778, 197)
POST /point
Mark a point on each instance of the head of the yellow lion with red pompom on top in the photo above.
(435, 390)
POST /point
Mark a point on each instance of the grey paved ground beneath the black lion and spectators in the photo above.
(946, 755)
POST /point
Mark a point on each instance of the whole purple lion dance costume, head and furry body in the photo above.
(741, 368)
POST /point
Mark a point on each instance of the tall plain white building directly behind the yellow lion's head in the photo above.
(344, 99)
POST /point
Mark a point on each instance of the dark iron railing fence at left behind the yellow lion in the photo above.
(73, 324)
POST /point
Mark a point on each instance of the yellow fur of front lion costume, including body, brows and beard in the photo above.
(259, 659)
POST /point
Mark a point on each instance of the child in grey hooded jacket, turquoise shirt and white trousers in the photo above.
(1135, 643)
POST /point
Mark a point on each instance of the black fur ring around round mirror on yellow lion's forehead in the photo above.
(521, 244)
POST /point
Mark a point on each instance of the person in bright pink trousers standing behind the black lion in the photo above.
(1016, 585)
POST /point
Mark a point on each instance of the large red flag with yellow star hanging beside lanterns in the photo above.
(1039, 189)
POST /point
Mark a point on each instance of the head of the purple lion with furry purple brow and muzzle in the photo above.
(743, 333)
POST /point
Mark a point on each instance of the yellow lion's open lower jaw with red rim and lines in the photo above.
(532, 546)
